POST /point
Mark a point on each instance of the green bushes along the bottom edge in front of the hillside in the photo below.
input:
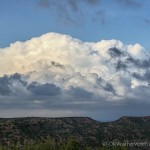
(51, 144)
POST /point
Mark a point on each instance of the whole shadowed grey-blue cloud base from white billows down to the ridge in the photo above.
(48, 100)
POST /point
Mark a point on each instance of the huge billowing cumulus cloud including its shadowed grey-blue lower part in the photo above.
(60, 71)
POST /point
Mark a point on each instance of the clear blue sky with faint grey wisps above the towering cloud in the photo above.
(125, 20)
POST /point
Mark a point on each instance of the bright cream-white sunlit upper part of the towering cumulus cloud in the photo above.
(66, 61)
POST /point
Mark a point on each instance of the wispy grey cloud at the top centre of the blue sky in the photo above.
(71, 11)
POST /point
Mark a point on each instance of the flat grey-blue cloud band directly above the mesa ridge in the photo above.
(100, 110)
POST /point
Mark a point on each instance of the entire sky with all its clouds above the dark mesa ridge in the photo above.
(74, 58)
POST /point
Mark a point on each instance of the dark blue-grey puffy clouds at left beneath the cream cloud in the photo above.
(9, 83)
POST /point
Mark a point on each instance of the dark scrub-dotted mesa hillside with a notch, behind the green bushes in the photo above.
(86, 131)
